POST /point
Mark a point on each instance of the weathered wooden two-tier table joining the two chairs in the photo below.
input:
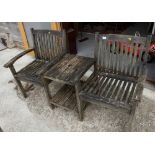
(69, 71)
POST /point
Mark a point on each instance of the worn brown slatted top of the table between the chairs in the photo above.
(69, 69)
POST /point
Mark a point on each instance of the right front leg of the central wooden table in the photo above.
(79, 102)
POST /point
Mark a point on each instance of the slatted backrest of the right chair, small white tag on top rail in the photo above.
(121, 54)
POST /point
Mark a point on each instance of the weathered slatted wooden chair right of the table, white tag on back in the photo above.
(119, 72)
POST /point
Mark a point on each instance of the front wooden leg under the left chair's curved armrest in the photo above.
(18, 82)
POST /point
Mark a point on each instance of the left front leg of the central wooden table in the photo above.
(47, 91)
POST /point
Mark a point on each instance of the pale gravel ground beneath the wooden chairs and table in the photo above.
(34, 114)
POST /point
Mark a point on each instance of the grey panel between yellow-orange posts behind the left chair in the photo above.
(35, 25)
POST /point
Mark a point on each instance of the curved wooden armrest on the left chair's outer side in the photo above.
(13, 60)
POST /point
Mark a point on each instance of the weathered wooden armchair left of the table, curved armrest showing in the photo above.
(49, 47)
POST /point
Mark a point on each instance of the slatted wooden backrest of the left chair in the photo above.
(48, 44)
